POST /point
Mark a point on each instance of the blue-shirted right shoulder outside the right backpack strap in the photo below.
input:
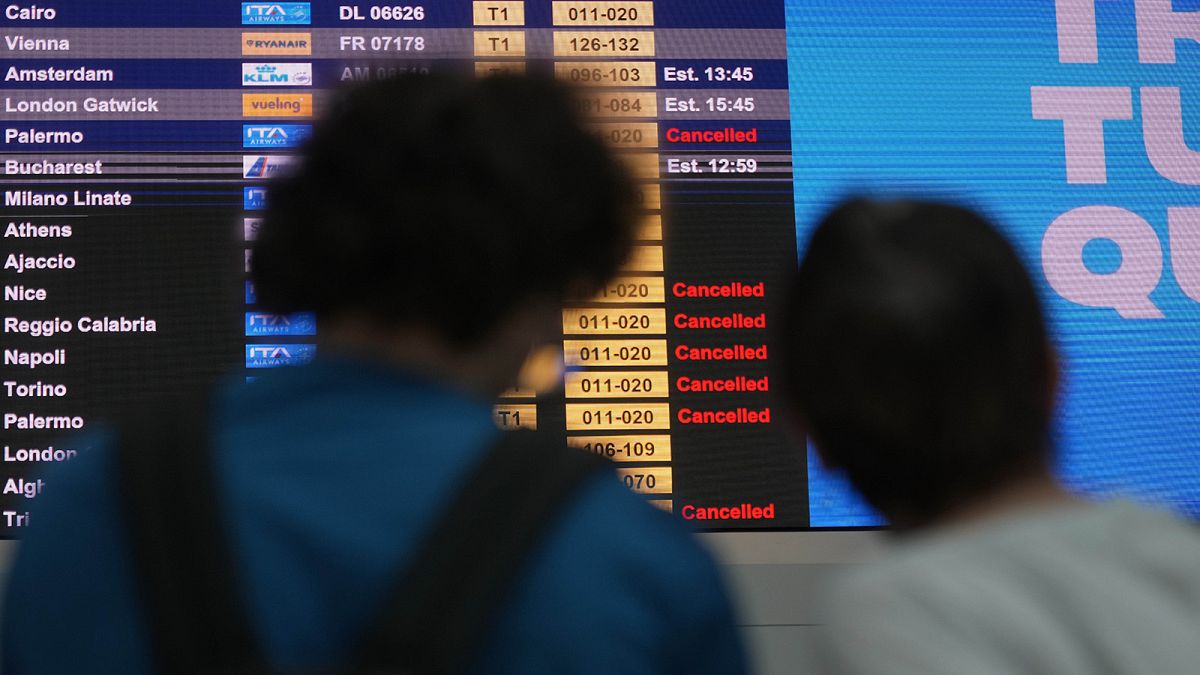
(621, 587)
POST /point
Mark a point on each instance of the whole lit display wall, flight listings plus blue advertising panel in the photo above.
(139, 138)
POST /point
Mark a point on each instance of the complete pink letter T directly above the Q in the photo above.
(1083, 111)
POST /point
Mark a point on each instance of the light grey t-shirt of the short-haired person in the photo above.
(1088, 589)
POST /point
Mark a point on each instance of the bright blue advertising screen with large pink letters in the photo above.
(1076, 126)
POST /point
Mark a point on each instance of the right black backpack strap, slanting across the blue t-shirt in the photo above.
(436, 618)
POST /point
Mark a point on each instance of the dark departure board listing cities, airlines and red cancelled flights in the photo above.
(140, 138)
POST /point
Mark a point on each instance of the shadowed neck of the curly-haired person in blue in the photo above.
(483, 372)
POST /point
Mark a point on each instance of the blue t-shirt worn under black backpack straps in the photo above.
(329, 476)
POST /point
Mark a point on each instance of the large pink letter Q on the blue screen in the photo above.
(1129, 289)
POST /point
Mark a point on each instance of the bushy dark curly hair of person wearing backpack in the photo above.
(443, 201)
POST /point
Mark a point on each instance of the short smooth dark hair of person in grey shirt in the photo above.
(917, 356)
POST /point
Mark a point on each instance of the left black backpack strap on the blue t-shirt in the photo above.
(194, 605)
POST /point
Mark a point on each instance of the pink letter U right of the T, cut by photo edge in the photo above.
(1162, 124)
